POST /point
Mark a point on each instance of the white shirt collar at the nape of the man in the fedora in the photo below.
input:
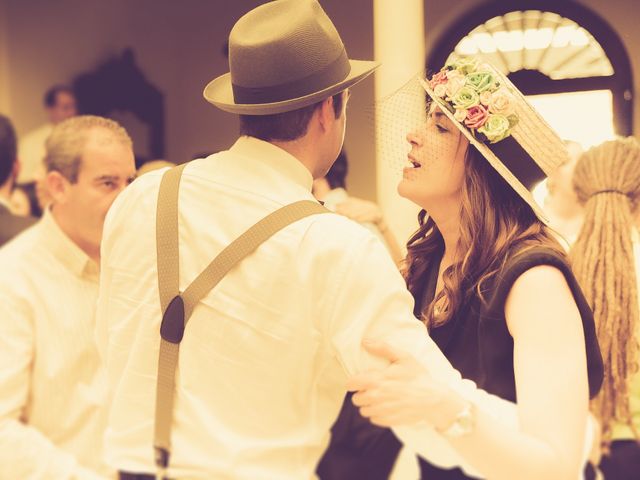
(274, 157)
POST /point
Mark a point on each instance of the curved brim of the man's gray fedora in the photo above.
(220, 93)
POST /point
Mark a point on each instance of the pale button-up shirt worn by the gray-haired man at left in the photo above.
(52, 411)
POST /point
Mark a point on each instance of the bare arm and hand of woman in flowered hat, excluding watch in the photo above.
(551, 383)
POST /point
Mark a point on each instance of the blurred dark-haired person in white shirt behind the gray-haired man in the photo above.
(60, 104)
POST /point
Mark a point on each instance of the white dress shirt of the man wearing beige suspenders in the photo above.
(266, 355)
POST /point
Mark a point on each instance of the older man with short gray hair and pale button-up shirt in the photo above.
(52, 413)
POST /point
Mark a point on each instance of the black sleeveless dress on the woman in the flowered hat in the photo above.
(478, 344)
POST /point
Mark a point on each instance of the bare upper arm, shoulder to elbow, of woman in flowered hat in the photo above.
(550, 362)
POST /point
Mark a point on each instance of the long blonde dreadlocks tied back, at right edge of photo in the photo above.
(607, 182)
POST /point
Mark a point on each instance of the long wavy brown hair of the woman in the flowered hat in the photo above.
(494, 222)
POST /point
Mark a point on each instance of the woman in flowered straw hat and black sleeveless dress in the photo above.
(492, 284)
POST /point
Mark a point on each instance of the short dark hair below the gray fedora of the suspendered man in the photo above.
(285, 126)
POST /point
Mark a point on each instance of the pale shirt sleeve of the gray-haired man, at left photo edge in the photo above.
(25, 452)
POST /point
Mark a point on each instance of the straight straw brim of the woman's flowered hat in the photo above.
(491, 157)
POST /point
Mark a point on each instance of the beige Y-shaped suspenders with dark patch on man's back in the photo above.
(177, 306)
